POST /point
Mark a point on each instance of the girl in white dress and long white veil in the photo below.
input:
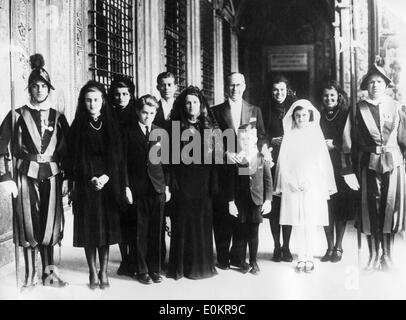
(304, 178)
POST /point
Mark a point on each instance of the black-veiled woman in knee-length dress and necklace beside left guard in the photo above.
(95, 179)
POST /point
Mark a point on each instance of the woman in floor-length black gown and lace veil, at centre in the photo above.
(191, 250)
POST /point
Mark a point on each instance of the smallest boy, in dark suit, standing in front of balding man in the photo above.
(251, 198)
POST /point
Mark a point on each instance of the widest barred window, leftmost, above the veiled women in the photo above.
(112, 39)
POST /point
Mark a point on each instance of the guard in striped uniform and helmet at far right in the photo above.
(378, 138)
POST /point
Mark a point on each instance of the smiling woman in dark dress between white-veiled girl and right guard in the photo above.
(333, 117)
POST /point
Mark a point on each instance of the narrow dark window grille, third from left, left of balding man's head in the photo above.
(207, 48)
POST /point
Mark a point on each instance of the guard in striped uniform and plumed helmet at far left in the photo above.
(38, 146)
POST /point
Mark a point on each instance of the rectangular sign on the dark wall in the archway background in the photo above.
(288, 61)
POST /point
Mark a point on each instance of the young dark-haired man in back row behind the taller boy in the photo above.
(167, 87)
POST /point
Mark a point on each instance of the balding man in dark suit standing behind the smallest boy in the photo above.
(232, 114)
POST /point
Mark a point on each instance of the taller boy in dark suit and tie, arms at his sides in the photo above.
(148, 188)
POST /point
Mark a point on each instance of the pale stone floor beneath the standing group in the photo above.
(277, 281)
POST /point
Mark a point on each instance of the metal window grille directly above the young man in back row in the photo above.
(175, 39)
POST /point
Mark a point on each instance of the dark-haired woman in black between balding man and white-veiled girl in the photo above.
(282, 98)
